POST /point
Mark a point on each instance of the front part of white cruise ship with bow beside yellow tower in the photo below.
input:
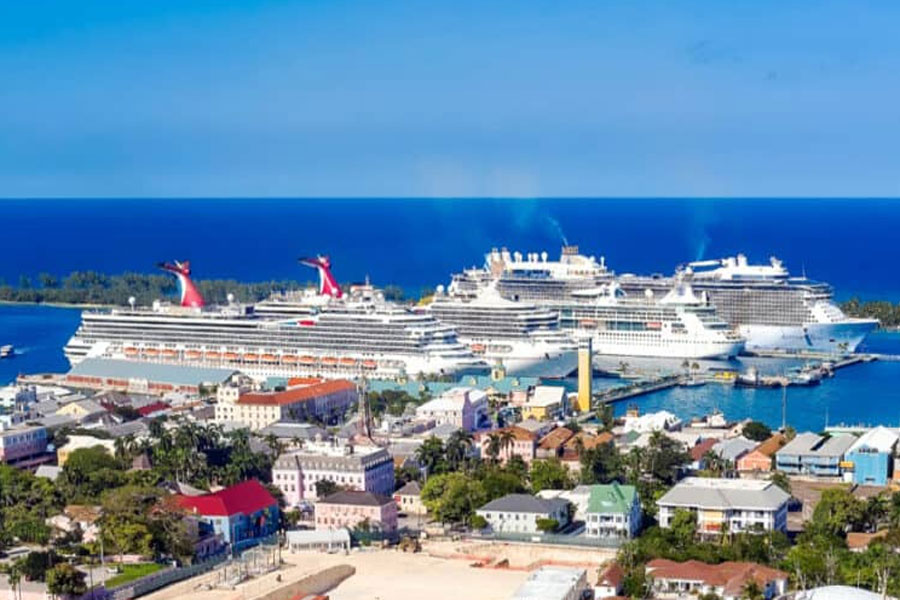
(522, 338)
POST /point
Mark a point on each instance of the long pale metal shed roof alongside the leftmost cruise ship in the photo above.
(128, 369)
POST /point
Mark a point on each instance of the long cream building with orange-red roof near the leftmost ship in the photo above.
(324, 400)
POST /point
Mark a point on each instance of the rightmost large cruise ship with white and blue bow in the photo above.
(773, 310)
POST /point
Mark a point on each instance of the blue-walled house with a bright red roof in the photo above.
(242, 514)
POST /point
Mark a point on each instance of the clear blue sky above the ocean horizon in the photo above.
(430, 98)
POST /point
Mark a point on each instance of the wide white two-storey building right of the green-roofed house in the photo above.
(727, 504)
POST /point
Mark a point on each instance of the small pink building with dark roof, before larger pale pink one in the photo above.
(351, 508)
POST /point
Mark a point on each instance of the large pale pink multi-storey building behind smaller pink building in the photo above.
(348, 466)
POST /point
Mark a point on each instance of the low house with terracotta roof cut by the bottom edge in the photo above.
(727, 580)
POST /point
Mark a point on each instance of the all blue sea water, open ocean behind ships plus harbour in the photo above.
(851, 244)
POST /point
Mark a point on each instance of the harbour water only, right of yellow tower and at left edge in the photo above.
(864, 393)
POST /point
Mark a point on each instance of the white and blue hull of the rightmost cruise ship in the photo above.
(836, 338)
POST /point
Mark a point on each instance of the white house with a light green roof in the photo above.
(613, 511)
